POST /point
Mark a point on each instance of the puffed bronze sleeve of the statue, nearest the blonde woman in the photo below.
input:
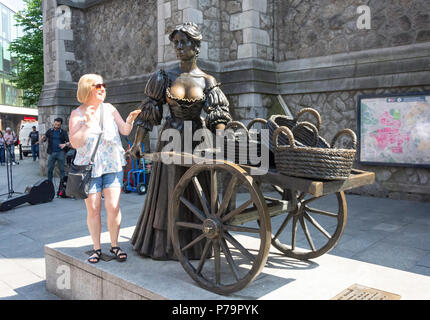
(152, 103)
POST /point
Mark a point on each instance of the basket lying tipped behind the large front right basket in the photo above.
(303, 137)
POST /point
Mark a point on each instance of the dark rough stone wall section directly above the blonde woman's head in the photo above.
(120, 39)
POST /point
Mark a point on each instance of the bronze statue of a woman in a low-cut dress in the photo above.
(187, 90)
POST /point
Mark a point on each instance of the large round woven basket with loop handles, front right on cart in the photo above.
(313, 162)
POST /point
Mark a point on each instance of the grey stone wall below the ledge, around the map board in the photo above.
(338, 110)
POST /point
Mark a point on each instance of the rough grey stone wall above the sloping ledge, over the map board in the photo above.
(318, 28)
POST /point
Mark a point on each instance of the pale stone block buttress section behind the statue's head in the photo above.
(231, 29)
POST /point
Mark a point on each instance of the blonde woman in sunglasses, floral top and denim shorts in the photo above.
(107, 174)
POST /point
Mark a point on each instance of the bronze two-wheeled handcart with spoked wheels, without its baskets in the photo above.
(226, 265)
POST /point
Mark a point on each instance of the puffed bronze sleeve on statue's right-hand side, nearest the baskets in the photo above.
(216, 108)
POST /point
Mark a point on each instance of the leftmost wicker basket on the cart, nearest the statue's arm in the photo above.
(242, 155)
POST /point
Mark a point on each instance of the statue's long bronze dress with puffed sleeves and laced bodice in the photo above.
(151, 236)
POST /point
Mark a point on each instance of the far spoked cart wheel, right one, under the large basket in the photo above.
(313, 228)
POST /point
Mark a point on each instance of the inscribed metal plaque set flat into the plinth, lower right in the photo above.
(359, 292)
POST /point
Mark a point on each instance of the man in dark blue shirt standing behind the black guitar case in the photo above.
(57, 139)
